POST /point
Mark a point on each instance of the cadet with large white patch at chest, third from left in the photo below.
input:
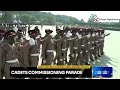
(34, 48)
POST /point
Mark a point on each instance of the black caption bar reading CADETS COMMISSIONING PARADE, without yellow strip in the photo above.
(20, 72)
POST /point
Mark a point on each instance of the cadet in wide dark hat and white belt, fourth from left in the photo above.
(47, 48)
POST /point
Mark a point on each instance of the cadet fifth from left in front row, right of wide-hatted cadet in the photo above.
(60, 45)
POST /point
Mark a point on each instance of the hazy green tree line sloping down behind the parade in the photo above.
(37, 17)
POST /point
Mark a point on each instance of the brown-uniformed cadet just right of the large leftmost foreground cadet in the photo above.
(23, 49)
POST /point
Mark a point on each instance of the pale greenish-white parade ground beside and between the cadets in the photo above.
(111, 58)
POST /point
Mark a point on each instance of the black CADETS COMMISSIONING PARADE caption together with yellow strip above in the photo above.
(51, 71)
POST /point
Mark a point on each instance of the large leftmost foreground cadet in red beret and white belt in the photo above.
(8, 55)
